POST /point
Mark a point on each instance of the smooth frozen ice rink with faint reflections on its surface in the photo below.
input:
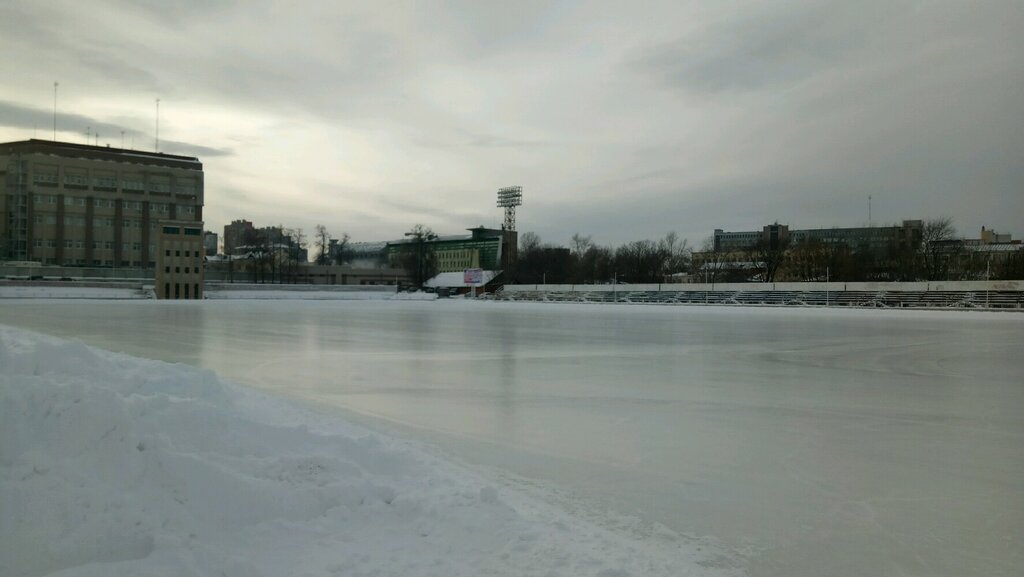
(812, 442)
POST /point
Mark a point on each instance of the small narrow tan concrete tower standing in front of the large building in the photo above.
(180, 261)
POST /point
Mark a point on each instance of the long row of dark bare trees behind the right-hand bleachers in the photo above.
(938, 256)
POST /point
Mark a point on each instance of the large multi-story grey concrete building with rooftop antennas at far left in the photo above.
(81, 205)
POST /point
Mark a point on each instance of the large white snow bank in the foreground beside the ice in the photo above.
(116, 466)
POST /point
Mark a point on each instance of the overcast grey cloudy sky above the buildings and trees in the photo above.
(621, 120)
